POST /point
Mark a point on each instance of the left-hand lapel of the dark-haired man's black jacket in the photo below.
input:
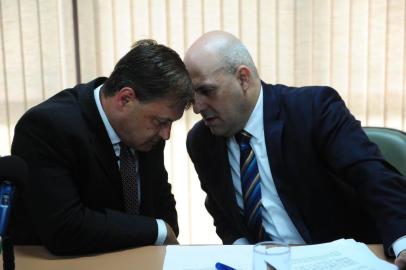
(98, 137)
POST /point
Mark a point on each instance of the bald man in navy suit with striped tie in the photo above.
(285, 163)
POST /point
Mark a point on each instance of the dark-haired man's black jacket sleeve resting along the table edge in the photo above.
(65, 225)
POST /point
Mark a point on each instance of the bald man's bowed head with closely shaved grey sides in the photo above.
(225, 80)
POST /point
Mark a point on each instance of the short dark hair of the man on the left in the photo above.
(153, 71)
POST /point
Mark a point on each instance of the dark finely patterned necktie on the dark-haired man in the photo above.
(128, 171)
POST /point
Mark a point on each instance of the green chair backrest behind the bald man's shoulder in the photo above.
(392, 143)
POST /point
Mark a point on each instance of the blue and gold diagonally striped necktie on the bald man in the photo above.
(251, 188)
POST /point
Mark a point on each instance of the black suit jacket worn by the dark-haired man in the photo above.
(73, 202)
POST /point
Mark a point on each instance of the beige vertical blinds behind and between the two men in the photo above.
(357, 46)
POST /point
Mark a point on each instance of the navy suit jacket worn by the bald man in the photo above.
(332, 181)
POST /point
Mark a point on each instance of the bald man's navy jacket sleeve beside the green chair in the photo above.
(350, 154)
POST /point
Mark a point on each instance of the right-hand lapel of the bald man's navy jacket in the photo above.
(273, 129)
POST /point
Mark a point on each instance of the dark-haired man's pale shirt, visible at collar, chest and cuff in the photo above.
(115, 140)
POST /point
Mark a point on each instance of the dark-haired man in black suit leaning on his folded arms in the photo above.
(95, 154)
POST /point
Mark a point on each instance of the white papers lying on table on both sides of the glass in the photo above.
(337, 255)
